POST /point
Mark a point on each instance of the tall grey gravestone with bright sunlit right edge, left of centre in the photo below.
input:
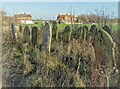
(46, 35)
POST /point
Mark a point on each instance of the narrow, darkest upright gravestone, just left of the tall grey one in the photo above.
(34, 35)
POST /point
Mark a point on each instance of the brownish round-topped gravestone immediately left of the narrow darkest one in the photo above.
(26, 35)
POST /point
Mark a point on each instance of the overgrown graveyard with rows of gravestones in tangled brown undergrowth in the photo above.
(46, 56)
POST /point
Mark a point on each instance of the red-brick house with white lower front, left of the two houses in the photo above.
(24, 18)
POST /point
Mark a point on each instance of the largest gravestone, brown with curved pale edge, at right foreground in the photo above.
(104, 47)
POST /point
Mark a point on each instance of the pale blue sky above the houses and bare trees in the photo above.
(49, 10)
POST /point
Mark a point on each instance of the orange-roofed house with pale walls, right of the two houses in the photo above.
(66, 18)
